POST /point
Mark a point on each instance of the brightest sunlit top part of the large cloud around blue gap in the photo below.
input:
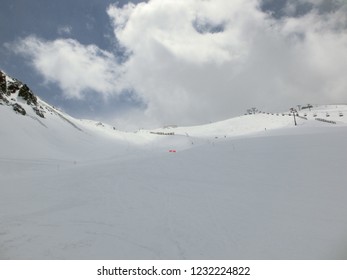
(169, 25)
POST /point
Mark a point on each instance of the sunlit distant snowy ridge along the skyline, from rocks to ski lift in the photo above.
(19, 97)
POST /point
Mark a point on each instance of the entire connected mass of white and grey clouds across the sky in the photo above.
(191, 61)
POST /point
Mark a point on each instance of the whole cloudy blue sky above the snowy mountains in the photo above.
(184, 62)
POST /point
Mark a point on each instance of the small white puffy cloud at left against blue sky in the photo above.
(77, 69)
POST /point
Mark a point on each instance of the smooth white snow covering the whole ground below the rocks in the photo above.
(252, 187)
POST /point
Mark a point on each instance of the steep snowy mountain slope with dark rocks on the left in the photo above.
(36, 128)
